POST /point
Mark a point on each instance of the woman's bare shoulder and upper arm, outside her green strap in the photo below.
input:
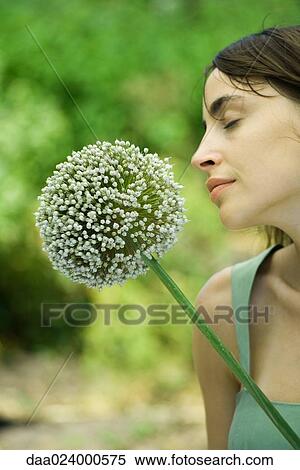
(219, 385)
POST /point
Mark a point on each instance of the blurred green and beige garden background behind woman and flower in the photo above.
(132, 70)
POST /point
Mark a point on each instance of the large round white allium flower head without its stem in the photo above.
(105, 205)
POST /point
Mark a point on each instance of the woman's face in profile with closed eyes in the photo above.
(260, 151)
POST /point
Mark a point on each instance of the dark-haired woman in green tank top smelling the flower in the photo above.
(251, 111)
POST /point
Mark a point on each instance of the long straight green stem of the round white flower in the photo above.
(230, 360)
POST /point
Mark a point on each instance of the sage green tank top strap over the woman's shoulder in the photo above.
(242, 278)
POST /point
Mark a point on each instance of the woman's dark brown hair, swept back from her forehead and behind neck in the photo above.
(272, 56)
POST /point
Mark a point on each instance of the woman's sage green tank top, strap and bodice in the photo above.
(251, 428)
